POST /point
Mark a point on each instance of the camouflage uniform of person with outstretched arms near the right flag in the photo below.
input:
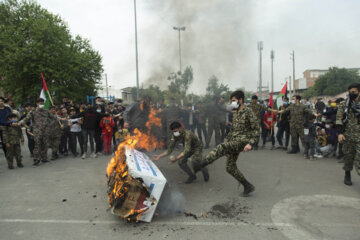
(297, 119)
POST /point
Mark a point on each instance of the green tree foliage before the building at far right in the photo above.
(335, 81)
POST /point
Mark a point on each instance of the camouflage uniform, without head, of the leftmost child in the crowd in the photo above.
(12, 135)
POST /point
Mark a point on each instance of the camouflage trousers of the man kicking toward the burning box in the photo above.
(231, 150)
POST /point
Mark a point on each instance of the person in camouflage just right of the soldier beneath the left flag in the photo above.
(54, 135)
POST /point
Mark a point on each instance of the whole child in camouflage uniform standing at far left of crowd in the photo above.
(12, 135)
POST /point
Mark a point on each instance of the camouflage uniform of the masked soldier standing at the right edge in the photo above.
(351, 131)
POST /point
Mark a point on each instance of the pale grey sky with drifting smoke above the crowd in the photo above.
(220, 39)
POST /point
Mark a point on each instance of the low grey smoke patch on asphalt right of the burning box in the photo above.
(172, 201)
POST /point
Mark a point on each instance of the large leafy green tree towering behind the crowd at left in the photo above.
(32, 41)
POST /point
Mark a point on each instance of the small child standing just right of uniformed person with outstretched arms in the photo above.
(310, 137)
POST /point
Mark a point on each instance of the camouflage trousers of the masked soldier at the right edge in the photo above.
(351, 149)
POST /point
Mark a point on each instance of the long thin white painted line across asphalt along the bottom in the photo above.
(197, 223)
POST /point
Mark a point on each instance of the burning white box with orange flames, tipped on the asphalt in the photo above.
(135, 184)
